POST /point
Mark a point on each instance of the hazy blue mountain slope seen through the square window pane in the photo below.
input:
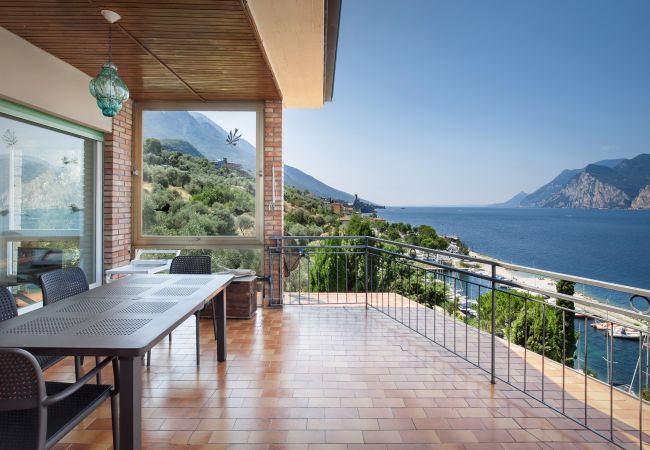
(201, 132)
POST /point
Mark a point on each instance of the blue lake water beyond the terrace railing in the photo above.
(608, 245)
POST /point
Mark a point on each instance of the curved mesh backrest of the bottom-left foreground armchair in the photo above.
(22, 392)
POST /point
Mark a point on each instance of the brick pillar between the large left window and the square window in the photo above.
(117, 189)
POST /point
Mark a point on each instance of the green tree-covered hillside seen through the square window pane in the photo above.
(187, 196)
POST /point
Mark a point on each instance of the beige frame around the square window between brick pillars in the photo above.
(141, 240)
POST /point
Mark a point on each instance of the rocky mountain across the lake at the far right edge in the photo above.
(607, 184)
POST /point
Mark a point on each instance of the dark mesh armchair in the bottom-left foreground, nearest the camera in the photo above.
(35, 414)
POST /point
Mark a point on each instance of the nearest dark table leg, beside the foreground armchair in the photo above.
(130, 403)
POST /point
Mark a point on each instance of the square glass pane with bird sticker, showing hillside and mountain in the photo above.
(199, 173)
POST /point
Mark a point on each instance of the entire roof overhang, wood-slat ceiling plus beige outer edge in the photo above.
(193, 51)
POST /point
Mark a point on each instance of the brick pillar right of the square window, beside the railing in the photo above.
(273, 218)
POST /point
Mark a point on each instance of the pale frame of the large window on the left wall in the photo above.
(40, 119)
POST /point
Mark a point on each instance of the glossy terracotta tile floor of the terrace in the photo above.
(329, 377)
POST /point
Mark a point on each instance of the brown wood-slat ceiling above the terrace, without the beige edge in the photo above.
(164, 50)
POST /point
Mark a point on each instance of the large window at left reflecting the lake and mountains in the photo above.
(48, 204)
